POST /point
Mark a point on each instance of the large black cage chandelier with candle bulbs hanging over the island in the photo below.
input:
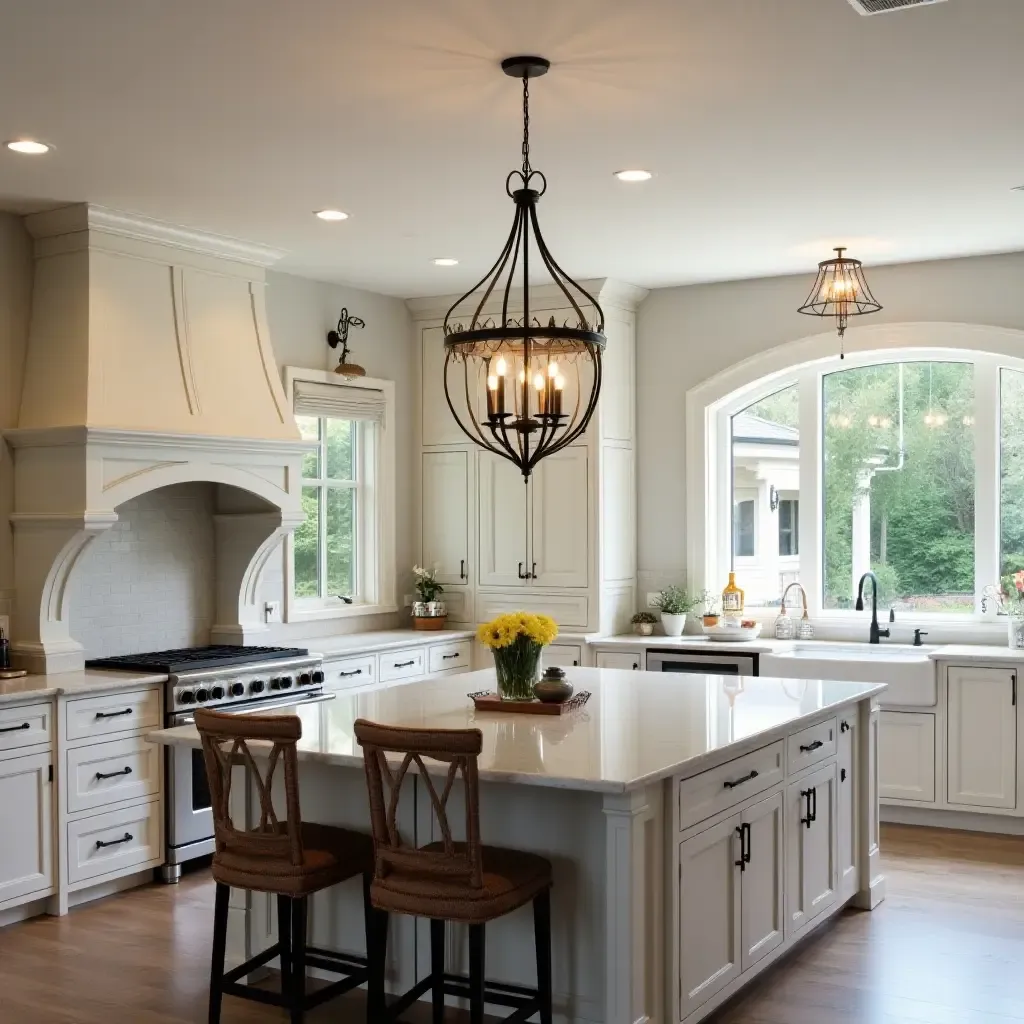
(519, 387)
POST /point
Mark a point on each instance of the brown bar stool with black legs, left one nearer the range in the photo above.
(290, 860)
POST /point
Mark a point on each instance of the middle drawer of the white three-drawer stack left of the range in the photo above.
(110, 774)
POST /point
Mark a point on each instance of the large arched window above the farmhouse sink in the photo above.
(908, 462)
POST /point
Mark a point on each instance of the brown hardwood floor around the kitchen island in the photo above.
(947, 948)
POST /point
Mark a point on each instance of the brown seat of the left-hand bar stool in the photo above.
(330, 856)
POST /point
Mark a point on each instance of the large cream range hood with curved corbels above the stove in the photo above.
(149, 364)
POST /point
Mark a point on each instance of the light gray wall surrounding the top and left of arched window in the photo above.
(688, 335)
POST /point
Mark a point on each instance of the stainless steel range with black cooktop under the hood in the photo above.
(230, 679)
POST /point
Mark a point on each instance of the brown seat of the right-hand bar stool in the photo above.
(510, 879)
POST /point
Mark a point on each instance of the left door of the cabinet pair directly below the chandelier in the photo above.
(502, 532)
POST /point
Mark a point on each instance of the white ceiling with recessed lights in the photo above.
(777, 130)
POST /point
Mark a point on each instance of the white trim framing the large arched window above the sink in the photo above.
(710, 405)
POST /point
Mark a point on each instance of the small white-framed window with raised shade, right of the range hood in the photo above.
(343, 556)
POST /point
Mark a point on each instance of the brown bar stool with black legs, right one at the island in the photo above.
(448, 881)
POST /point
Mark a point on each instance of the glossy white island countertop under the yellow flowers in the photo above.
(637, 728)
